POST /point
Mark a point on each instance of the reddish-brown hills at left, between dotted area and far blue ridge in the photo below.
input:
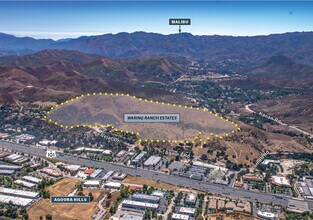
(54, 75)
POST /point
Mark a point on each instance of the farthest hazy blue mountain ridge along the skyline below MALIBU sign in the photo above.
(298, 46)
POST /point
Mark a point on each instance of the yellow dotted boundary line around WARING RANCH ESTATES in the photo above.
(197, 138)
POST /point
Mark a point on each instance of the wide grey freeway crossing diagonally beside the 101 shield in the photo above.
(171, 179)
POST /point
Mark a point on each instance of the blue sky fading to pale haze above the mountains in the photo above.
(72, 19)
